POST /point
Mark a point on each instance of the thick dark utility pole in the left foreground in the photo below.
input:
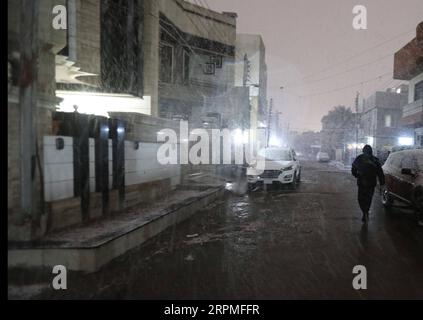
(28, 101)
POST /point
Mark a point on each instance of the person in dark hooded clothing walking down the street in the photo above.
(367, 169)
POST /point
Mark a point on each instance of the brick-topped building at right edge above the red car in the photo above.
(408, 65)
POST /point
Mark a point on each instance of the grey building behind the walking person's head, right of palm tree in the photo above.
(380, 118)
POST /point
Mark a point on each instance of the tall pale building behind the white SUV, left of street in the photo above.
(251, 72)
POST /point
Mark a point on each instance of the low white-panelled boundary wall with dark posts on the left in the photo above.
(145, 178)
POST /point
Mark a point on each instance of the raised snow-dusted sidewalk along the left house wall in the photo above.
(89, 247)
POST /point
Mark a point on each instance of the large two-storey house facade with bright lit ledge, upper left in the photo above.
(170, 62)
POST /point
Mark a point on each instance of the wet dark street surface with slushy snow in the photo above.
(278, 244)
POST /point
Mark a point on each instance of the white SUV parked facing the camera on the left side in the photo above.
(281, 165)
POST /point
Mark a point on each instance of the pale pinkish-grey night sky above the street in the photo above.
(312, 50)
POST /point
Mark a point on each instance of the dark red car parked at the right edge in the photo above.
(404, 179)
